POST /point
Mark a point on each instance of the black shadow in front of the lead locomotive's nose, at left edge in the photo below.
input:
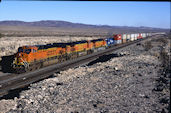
(5, 64)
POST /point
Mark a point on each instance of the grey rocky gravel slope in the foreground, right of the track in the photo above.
(133, 79)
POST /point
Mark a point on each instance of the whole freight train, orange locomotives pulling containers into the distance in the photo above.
(29, 58)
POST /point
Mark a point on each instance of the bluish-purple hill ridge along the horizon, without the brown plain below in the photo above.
(51, 23)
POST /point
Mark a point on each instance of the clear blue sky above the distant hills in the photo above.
(150, 14)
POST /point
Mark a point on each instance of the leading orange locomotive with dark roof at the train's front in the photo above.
(29, 58)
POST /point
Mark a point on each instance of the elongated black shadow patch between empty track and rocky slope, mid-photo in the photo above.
(104, 58)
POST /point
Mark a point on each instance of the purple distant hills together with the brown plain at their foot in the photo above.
(57, 27)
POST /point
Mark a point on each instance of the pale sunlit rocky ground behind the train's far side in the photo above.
(9, 45)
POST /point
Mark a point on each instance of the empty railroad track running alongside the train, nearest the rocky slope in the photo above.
(15, 81)
